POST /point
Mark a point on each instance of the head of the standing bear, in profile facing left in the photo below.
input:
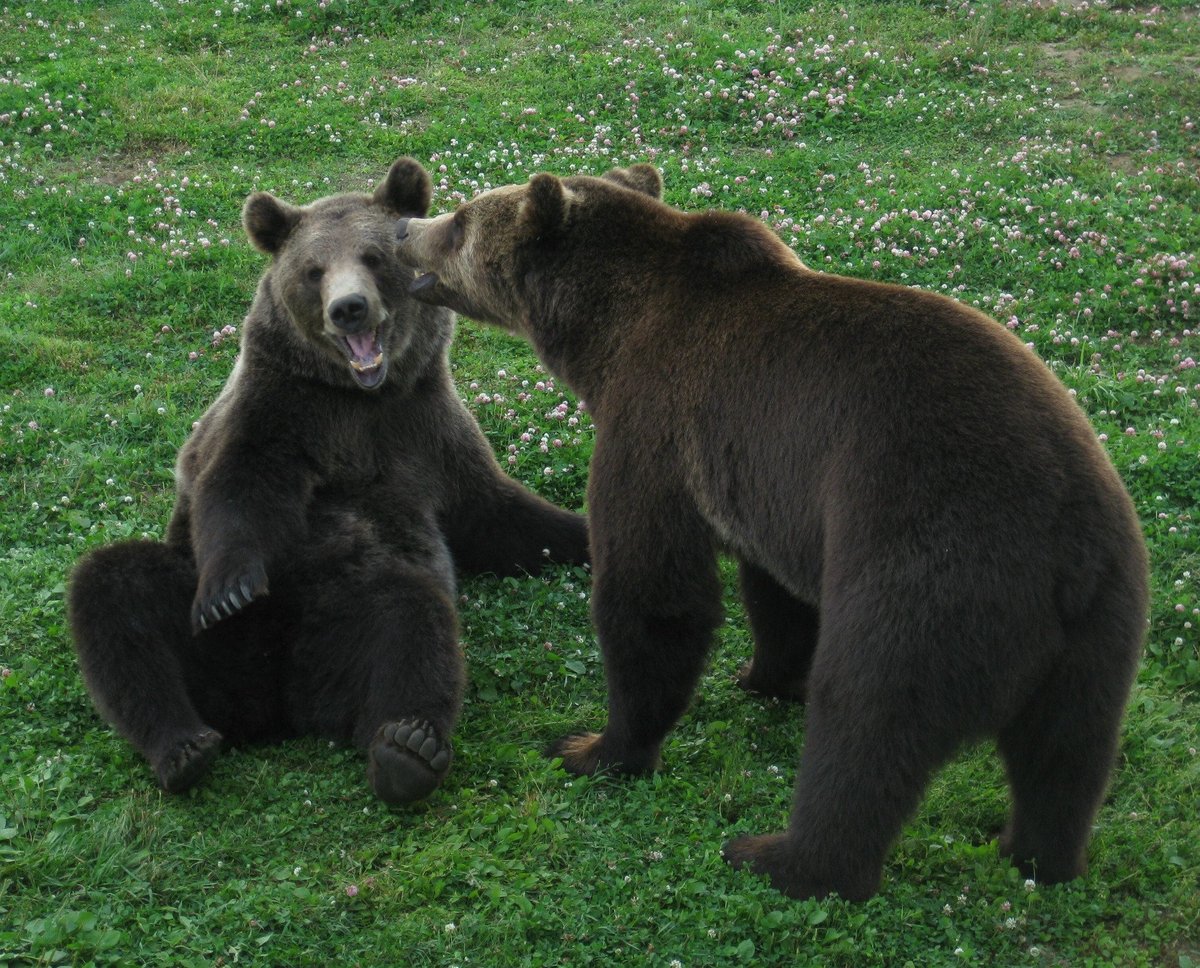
(491, 257)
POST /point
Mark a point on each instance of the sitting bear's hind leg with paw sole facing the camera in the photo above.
(377, 660)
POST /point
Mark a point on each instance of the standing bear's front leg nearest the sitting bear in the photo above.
(656, 603)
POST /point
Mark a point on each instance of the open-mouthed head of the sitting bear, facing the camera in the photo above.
(337, 275)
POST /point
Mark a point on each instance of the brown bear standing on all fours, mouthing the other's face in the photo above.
(933, 546)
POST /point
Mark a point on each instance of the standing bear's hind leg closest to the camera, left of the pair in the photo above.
(886, 708)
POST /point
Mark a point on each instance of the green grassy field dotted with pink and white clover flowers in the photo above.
(1041, 161)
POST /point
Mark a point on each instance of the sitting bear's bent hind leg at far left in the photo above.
(129, 610)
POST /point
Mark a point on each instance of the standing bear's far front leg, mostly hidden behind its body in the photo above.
(785, 636)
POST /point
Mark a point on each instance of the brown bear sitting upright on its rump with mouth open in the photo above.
(307, 584)
